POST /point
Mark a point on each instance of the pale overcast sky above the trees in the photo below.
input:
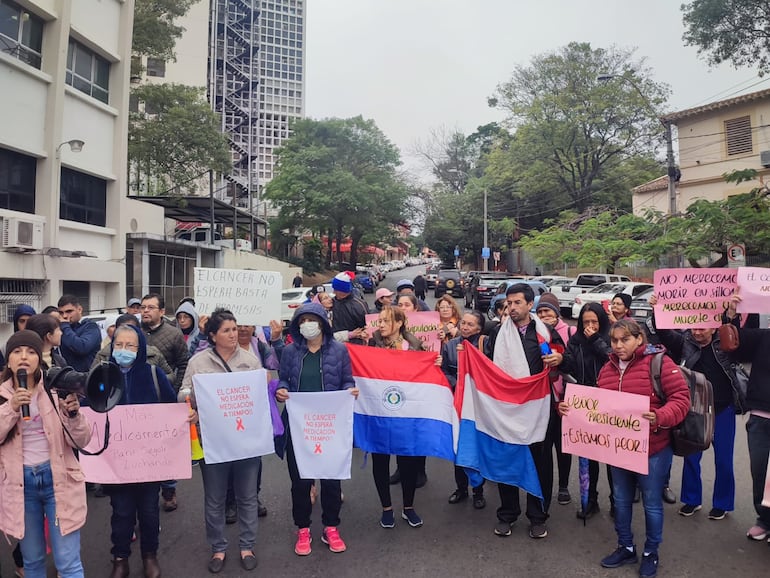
(418, 65)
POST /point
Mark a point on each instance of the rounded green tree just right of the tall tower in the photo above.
(338, 177)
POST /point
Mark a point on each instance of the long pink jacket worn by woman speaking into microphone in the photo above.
(68, 479)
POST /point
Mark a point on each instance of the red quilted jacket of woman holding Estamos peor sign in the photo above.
(636, 379)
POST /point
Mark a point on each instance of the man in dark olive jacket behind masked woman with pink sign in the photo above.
(170, 341)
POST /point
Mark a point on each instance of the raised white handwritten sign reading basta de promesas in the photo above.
(254, 297)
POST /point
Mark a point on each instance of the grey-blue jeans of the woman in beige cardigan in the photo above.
(215, 476)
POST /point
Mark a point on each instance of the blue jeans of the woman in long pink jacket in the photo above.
(39, 503)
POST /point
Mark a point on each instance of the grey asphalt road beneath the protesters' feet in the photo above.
(456, 540)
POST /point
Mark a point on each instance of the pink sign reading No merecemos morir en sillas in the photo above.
(692, 298)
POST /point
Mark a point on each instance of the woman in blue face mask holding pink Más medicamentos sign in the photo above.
(144, 384)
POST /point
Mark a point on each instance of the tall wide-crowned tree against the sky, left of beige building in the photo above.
(572, 127)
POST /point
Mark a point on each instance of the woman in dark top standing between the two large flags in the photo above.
(471, 325)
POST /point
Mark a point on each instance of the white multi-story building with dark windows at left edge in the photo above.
(64, 72)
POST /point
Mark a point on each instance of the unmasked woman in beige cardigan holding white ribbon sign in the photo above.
(225, 355)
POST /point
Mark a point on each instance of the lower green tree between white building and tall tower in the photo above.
(176, 139)
